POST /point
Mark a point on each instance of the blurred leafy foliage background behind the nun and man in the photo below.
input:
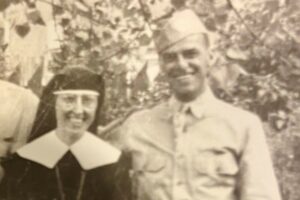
(256, 57)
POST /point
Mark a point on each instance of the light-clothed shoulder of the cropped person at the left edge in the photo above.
(18, 107)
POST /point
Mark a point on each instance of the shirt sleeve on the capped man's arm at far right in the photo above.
(257, 177)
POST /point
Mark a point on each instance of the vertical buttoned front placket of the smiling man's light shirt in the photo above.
(179, 186)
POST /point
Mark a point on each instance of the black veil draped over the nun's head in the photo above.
(70, 78)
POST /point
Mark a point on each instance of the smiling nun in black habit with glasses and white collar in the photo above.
(64, 160)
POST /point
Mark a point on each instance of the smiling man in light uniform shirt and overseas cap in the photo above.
(194, 146)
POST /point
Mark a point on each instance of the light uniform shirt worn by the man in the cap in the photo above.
(220, 154)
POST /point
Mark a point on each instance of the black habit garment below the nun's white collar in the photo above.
(25, 179)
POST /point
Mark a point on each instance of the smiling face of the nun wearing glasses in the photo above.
(75, 110)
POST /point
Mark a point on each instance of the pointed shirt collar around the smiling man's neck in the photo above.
(199, 107)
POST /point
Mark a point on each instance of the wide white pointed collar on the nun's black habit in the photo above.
(90, 151)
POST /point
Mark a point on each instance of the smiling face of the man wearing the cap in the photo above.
(186, 66)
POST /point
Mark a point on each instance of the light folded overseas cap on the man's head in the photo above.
(181, 24)
